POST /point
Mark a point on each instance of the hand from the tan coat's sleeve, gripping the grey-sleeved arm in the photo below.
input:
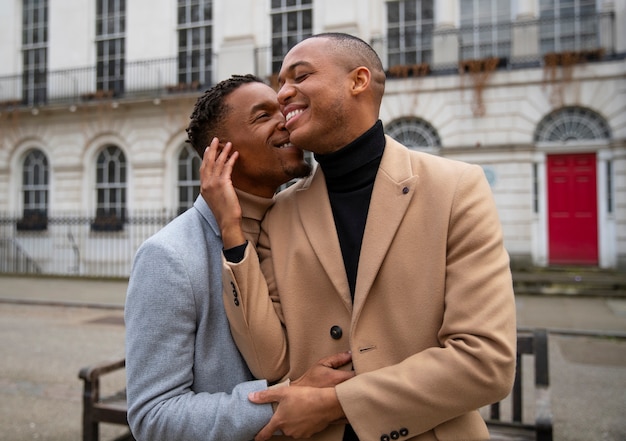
(301, 412)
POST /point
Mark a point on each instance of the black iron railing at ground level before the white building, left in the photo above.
(70, 245)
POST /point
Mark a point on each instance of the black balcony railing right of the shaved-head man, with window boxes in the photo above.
(519, 44)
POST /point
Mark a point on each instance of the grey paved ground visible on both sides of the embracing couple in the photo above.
(51, 327)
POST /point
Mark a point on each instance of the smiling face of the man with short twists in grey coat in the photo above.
(255, 126)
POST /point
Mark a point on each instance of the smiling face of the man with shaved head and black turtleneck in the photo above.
(325, 95)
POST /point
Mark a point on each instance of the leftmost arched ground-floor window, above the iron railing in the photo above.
(35, 192)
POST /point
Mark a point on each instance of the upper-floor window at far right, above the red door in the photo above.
(568, 25)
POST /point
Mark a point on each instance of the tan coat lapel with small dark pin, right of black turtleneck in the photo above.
(394, 188)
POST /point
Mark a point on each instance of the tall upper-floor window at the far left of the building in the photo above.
(34, 50)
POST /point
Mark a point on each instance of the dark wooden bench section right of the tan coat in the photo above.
(515, 426)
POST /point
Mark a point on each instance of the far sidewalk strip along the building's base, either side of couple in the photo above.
(558, 313)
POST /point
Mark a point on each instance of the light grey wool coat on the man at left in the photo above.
(185, 377)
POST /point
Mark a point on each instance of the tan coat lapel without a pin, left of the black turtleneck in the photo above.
(319, 226)
